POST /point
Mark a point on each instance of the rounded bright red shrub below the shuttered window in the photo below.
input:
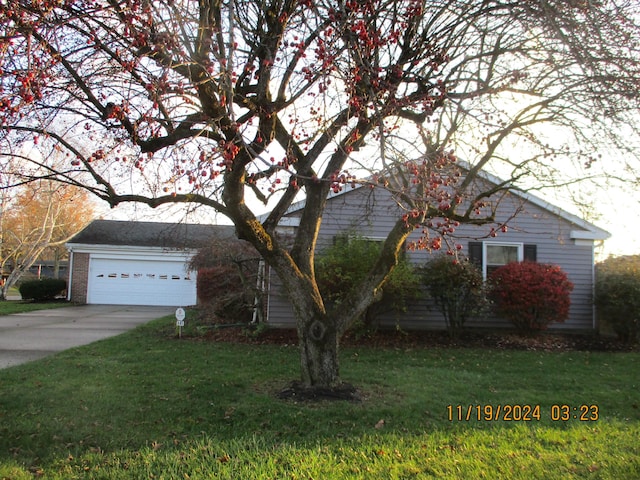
(531, 295)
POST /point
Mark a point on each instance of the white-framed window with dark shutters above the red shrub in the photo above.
(489, 256)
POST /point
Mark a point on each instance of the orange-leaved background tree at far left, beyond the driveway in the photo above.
(43, 216)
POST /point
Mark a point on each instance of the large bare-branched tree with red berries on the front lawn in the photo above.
(228, 103)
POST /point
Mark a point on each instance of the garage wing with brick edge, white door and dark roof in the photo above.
(137, 263)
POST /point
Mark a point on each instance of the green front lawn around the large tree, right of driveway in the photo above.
(147, 405)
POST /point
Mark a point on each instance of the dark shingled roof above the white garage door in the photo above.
(151, 234)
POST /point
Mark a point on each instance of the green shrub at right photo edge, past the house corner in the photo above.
(617, 297)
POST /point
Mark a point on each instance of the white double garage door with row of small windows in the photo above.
(140, 282)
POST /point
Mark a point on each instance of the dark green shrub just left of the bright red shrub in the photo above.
(457, 288)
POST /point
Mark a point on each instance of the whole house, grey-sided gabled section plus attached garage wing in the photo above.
(120, 262)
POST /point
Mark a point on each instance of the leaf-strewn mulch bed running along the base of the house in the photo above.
(546, 341)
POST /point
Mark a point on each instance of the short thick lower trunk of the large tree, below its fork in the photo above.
(318, 340)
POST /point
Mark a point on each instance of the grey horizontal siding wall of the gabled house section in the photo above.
(354, 211)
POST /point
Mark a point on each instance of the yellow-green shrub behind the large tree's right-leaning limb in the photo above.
(341, 268)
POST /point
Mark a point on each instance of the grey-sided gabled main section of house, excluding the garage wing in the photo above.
(538, 232)
